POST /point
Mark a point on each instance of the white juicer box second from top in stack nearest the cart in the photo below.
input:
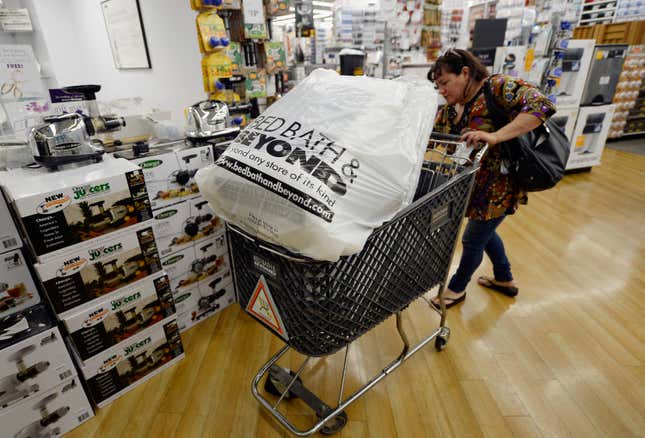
(180, 225)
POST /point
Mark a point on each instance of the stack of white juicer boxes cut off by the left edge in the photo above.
(40, 392)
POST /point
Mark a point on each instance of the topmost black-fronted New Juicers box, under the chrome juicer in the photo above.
(61, 209)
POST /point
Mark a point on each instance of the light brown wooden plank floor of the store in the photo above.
(565, 358)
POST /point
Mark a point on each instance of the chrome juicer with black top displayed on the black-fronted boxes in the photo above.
(66, 138)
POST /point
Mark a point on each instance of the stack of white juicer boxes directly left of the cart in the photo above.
(189, 236)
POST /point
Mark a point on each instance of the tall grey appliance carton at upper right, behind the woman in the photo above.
(604, 73)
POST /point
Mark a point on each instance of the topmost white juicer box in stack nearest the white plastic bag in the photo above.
(170, 170)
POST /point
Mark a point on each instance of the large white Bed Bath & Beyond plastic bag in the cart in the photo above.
(321, 168)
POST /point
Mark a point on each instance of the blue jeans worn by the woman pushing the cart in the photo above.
(481, 236)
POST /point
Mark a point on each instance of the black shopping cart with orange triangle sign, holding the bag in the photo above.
(319, 307)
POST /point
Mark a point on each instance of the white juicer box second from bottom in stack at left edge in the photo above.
(33, 366)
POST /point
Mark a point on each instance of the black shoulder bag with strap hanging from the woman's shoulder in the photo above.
(537, 159)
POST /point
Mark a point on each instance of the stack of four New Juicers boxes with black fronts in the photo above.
(90, 229)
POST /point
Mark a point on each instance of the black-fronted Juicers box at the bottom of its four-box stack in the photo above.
(120, 368)
